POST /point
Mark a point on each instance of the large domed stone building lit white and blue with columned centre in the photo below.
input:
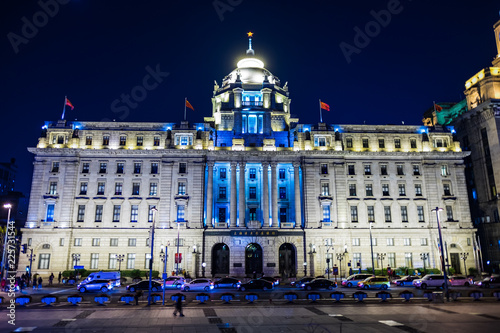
(248, 190)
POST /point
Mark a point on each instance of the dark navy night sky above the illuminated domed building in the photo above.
(95, 51)
